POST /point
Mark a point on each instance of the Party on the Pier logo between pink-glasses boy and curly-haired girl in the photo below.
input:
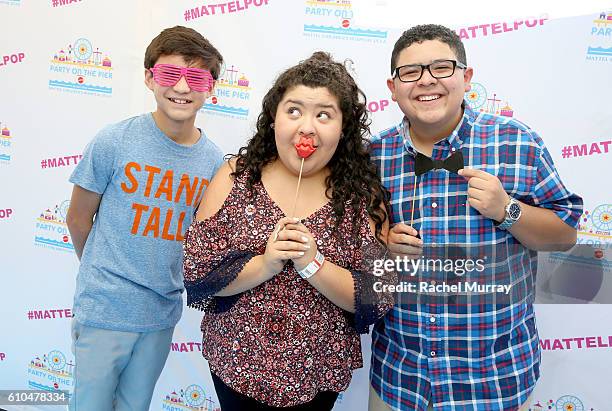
(232, 94)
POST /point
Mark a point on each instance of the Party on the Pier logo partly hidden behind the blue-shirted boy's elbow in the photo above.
(51, 229)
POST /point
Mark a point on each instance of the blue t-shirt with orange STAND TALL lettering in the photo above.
(131, 276)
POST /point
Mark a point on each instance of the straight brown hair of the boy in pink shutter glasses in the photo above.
(186, 42)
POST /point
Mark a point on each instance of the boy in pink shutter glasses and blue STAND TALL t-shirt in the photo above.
(135, 192)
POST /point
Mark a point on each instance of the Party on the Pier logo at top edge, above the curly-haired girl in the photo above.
(333, 19)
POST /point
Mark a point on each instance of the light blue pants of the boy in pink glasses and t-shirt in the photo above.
(116, 370)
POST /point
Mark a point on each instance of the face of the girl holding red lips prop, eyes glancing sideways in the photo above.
(311, 115)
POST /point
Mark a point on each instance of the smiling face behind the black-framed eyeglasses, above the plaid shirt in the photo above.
(433, 106)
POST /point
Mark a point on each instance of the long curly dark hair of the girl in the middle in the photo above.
(353, 176)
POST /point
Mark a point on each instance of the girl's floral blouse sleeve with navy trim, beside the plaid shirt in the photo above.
(372, 301)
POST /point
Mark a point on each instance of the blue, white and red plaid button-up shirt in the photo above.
(464, 356)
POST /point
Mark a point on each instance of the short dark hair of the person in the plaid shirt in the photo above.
(418, 34)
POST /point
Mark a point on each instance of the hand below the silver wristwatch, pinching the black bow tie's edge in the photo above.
(486, 193)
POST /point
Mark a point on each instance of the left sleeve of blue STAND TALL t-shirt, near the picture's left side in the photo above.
(95, 169)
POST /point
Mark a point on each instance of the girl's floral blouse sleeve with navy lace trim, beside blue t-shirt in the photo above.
(210, 263)
